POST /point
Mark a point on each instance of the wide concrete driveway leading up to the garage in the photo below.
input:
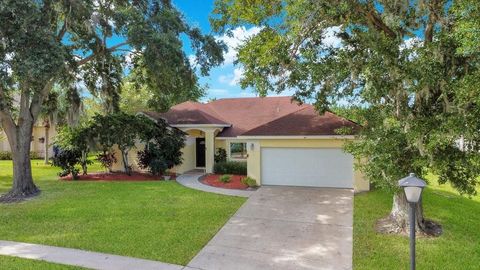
(285, 228)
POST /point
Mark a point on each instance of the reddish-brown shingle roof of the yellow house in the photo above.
(256, 116)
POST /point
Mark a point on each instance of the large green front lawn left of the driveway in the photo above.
(154, 220)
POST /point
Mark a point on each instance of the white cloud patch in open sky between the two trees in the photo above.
(239, 35)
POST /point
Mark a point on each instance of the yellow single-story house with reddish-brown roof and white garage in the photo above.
(283, 143)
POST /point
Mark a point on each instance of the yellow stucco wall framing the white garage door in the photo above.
(254, 155)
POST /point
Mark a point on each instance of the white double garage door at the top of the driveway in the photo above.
(312, 167)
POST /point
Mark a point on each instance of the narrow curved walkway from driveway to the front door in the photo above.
(190, 180)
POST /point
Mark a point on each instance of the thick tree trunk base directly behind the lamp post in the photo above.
(398, 220)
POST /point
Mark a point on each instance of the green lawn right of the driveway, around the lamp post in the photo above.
(457, 248)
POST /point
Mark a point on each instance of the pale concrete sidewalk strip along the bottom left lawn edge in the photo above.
(82, 258)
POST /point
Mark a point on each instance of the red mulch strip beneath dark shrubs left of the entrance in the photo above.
(116, 176)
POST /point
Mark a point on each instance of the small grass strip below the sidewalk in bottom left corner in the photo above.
(13, 263)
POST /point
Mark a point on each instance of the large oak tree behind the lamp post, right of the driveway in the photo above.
(412, 67)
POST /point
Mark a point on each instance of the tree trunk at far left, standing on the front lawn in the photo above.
(19, 138)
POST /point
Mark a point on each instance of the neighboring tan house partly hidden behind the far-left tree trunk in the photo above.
(38, 140)
